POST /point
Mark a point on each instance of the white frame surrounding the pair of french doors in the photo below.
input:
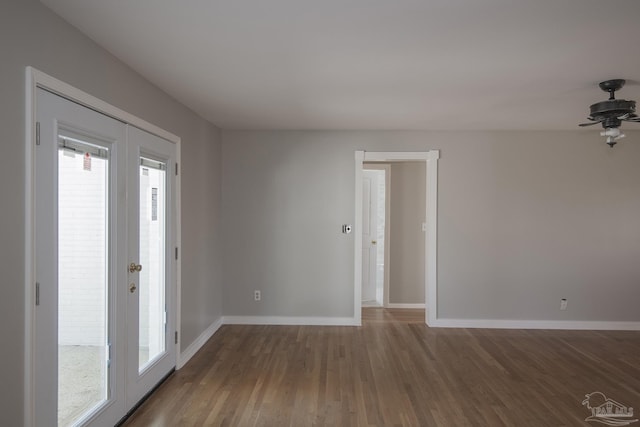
(37, 79)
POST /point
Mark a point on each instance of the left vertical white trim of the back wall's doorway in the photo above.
(357, 255)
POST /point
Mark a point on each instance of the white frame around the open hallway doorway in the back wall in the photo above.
(430, 158)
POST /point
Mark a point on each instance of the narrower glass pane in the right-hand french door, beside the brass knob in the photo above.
(152, 230)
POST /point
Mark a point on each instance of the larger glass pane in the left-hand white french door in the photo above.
(83, 265)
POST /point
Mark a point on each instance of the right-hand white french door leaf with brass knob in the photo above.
(151, 272)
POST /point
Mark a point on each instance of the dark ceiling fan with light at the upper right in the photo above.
(612, 112)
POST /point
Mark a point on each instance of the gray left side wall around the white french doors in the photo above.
(32, 35)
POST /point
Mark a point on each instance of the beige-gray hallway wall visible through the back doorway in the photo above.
(406, 243)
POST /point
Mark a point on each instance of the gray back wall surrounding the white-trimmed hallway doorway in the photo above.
(525, 219)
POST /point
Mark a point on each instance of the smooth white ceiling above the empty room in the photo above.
(374, 64)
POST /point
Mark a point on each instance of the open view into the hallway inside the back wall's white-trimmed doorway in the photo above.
(393, 229)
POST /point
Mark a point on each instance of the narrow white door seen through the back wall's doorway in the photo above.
(369, 236)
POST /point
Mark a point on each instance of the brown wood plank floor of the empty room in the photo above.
(396, 371)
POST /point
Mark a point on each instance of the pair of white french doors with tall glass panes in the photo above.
(105, 277)
